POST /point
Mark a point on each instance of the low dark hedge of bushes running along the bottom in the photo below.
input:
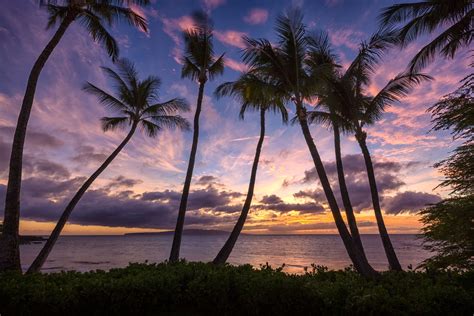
(206, 289)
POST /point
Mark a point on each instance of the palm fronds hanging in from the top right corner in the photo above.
(454, 17)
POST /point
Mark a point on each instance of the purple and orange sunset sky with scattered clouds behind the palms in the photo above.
(140, 191)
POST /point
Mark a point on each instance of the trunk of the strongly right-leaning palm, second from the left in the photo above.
(48, 246)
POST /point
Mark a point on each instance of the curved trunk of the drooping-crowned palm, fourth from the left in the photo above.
(224, 253)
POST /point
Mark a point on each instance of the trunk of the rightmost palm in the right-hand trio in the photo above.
(387, 243)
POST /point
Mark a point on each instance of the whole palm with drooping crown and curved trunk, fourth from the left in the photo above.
(254, 94)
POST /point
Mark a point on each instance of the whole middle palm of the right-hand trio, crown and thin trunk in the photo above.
(328, 112)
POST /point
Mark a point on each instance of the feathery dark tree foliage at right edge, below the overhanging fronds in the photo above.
(449, 225)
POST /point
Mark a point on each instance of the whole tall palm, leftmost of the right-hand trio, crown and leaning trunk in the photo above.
(285, 65)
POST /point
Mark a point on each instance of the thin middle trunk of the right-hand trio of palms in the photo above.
(345, 193)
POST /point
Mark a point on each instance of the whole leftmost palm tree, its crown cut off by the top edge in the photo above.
(92, 14)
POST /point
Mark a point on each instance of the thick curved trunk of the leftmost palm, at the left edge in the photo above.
(9, 242)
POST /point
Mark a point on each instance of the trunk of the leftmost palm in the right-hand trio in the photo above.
(354, 253)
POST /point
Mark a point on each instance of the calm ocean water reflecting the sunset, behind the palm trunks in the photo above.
(84, 253)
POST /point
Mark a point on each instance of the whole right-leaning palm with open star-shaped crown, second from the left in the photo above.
(136, 105)
